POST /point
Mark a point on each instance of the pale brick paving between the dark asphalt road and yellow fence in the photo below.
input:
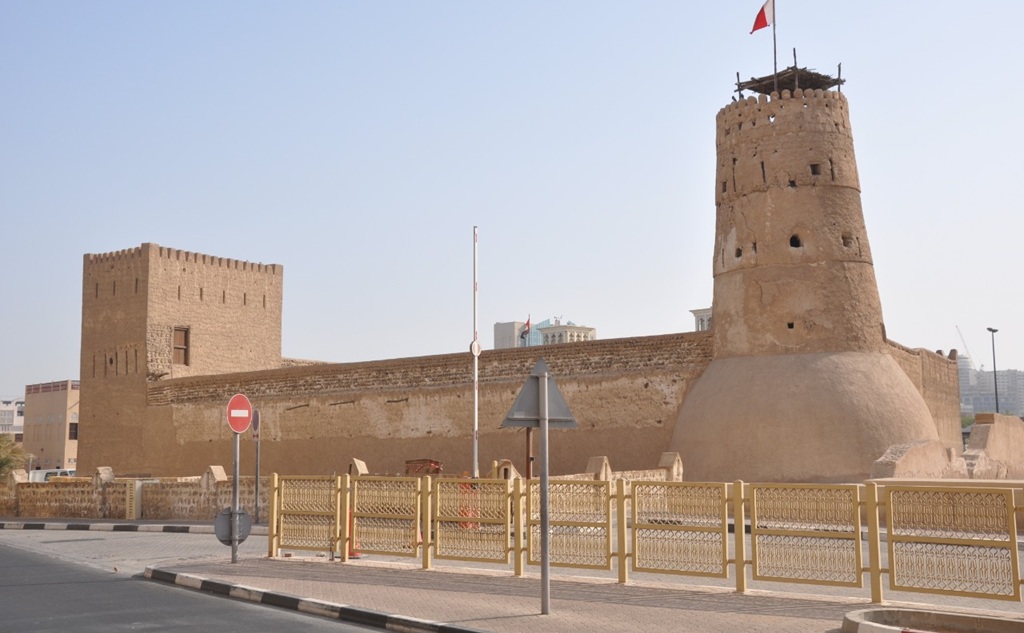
(450, 599)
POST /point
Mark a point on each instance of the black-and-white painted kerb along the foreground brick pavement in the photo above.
(346, 613)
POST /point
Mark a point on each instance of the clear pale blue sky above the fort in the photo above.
(359, 143)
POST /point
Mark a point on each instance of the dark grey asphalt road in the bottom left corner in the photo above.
(44, 595)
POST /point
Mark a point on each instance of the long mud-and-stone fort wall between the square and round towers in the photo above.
(625, 394)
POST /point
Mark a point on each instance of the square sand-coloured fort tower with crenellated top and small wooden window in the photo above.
(154, 314)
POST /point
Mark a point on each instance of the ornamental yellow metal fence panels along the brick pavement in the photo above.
(952, 539)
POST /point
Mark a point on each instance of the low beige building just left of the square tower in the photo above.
(52, 425)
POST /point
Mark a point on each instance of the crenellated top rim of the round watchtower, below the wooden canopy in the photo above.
(784, 109)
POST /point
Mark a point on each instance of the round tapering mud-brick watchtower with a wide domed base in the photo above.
(802, 387)
